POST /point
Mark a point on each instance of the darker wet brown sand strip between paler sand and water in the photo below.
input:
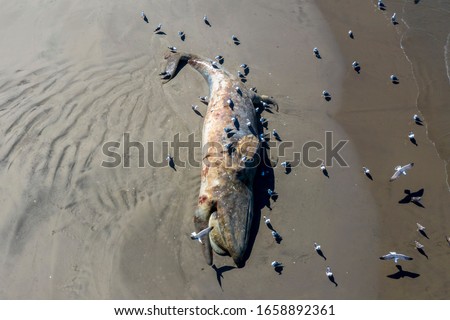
(379, 53)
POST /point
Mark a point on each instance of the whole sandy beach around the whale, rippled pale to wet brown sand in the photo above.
(74, 76)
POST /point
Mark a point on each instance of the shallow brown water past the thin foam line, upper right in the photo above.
(425, 41)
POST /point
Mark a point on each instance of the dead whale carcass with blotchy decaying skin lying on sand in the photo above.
(229, 159)
